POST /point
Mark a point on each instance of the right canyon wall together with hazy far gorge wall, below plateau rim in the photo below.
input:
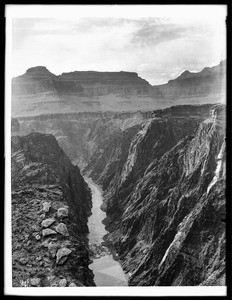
(163, 177)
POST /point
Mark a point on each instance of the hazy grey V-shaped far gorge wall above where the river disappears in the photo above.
(80, 135)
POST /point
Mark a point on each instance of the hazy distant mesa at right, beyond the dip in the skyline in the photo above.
(209, 81)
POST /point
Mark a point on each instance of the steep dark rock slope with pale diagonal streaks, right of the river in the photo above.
(165, 205)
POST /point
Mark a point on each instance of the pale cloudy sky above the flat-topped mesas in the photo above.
(159, 44)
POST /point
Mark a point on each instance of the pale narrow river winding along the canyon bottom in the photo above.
(106, 269)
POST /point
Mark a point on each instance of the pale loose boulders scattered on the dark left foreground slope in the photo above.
(53, 232)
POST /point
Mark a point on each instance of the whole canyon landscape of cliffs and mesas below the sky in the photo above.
(161, 172)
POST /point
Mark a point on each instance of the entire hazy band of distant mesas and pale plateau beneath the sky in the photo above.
(39, 91)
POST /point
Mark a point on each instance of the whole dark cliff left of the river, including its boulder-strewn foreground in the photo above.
(50, 206)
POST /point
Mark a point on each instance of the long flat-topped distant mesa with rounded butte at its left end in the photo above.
(81, 83)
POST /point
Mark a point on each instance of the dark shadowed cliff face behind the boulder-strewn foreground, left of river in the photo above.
(48, 164)
